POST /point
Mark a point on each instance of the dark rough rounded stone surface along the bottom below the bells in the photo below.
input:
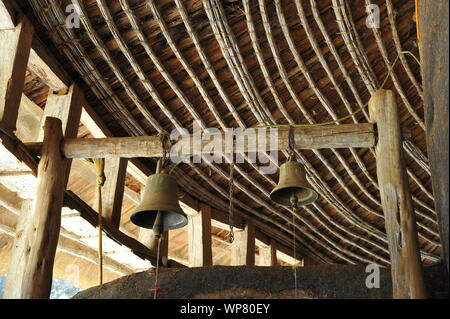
(243, 282)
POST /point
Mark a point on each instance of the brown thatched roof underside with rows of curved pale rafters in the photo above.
(151, 66)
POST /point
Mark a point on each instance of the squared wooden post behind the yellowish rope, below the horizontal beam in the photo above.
(113, 190)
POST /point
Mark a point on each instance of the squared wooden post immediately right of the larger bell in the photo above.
(200, 249)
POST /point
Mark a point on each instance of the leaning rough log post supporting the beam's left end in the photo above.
(31, 266)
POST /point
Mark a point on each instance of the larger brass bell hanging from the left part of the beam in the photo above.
(159, 207)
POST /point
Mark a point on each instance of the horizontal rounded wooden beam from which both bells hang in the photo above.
(334, 136)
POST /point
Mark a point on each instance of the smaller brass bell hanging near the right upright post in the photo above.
(293, 189)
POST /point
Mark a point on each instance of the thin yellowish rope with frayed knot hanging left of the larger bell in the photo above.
(100, 171)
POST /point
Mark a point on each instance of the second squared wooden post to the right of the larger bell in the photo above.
(243, 246)
